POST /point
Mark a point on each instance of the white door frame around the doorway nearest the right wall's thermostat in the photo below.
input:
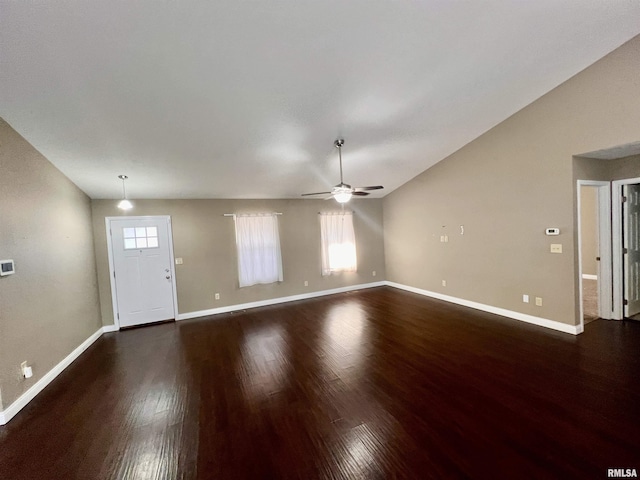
(605, 278)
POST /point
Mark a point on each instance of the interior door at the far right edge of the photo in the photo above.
(631, 244)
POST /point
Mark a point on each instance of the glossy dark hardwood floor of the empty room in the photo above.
(374, 384)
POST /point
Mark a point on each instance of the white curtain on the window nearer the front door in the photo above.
(258, 244)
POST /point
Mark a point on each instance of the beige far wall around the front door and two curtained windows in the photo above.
(205, 240)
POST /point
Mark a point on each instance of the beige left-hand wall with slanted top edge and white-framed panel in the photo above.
(50, 305)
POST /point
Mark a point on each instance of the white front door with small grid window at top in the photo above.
(141, 253)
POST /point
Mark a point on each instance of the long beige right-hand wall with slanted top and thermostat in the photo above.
(506, 187)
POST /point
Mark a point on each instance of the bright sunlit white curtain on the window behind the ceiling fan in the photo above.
(338, 243)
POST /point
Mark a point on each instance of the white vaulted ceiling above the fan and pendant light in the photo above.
(243, 99)
